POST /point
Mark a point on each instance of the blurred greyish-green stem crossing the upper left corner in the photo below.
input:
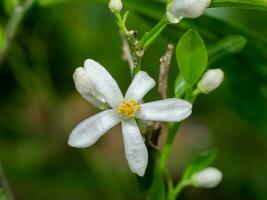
(12, 27)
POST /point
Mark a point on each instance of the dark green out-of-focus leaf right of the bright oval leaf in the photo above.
(229, 44)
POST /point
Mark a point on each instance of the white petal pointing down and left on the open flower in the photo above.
(90, 130)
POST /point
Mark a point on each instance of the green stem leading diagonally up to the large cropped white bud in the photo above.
(150, 36)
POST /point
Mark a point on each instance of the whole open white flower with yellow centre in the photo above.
(97, 86)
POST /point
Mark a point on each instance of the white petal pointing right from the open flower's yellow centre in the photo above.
(168, 110)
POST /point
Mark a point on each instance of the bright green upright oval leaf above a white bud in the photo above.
(191, 56)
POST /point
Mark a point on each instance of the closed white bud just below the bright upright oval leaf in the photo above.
(211, 80)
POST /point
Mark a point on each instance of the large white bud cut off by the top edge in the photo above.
(179, 9)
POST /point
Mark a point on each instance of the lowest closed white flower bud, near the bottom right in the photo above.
(207, 178)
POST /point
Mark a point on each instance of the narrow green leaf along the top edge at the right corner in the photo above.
(248, 4)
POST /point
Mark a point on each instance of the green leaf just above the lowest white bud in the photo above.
(202, 161)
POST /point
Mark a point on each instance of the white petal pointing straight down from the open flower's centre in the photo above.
(135, 148)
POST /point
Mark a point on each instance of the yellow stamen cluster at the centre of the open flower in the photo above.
(128, 109)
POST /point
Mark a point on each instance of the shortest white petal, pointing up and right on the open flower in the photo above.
(140, 85)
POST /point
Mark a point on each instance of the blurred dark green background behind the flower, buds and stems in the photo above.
(39, 105)
